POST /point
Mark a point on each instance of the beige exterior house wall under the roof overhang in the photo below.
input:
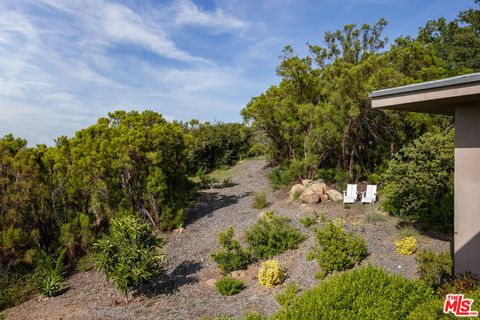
(467, 189)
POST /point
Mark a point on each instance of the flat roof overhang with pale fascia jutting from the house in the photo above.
(439, 97)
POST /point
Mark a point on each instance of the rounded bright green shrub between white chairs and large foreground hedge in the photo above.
(336, 250)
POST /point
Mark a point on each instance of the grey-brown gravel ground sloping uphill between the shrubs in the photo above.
(186, 290)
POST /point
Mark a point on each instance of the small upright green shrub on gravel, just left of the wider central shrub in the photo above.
(232, 256)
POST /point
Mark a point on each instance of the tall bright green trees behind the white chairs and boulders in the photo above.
(318, 119)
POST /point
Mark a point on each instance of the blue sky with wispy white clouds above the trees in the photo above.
(63, 64)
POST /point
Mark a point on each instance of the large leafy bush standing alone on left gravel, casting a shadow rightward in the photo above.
(129, 255)
